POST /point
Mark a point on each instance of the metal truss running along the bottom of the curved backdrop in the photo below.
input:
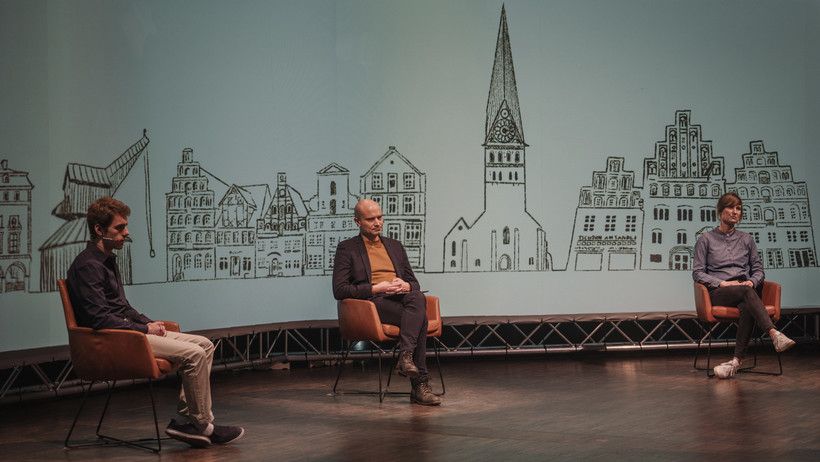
(49, 373)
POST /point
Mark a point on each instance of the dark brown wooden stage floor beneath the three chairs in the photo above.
(607, 406)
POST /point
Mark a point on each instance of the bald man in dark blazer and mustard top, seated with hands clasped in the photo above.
(372, 267)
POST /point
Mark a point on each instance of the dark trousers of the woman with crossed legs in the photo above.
(752, 310)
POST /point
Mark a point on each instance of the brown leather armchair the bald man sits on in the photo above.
(359, 321)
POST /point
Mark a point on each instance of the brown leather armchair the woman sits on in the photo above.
(711, 315)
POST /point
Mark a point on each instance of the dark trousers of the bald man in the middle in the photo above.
(409, 312)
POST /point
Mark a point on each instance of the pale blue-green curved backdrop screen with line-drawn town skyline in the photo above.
(242, 136)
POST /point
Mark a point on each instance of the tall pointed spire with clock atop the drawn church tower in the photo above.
(503, 123)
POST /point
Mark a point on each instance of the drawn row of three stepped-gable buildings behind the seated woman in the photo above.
(619, 226)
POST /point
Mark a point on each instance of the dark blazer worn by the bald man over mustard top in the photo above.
(352, 273)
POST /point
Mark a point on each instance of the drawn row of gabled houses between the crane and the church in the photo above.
(217, 230)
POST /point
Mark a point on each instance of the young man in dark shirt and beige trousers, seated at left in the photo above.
(99, 301)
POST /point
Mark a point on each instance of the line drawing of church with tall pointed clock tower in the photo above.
(505, 236)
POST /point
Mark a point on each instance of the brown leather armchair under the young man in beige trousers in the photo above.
(109, 355)
